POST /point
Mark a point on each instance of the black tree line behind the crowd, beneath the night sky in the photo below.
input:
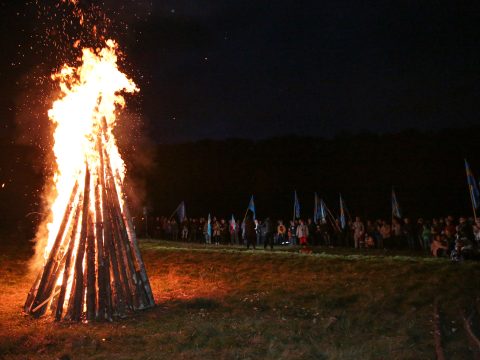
(219, 176)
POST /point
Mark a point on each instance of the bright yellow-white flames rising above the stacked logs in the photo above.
(84, 114)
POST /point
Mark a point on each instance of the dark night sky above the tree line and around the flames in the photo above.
(256, 69)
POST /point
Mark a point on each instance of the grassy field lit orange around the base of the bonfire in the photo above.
(229, 303)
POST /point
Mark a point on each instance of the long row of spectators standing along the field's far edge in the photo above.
(440, 236)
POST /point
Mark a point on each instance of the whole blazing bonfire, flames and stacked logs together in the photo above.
(93, 268)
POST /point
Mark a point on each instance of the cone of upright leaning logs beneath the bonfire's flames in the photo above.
(94, 270)
